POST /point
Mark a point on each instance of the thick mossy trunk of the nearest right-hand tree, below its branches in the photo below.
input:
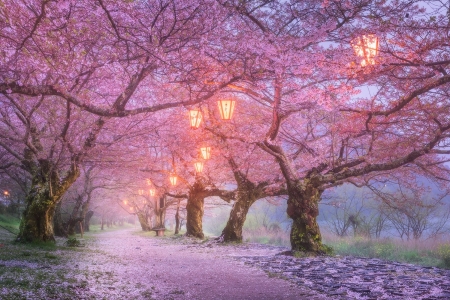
(303, 210)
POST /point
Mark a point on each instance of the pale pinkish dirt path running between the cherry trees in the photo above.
(130, 266)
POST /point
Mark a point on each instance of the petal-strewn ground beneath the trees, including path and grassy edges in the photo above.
(128, 264)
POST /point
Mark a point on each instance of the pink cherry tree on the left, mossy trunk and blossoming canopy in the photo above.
(62, 62)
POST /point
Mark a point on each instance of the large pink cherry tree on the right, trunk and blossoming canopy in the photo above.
(322, 134)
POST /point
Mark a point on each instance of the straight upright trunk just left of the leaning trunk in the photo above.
(195, 209)
